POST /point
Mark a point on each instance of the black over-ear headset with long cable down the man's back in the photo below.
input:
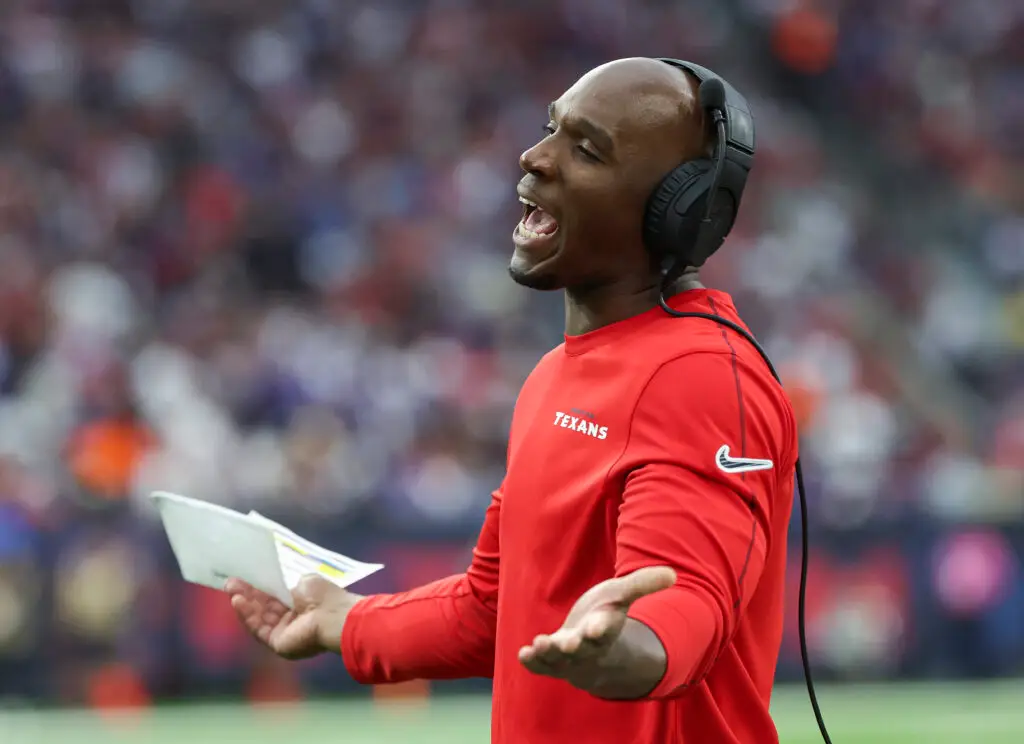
(688, 218)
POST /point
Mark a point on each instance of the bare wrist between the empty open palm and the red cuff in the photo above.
(632, 668)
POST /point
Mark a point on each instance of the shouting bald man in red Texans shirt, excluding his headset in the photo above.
(627, 585)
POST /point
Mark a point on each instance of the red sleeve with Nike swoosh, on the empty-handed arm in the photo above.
(680, 509)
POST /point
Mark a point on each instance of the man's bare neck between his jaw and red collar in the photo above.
(595, 308)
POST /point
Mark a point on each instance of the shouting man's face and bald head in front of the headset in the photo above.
(610, 140)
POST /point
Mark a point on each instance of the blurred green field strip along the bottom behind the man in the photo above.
(904, 715)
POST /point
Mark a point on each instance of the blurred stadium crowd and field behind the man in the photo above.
(255, 252)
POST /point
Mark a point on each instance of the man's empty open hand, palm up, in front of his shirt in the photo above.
(578, 651)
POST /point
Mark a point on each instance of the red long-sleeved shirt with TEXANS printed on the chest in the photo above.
(652, 442)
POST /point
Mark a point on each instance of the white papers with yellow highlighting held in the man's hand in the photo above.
(214, 544)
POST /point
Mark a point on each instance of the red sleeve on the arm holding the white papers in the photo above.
(443, 631)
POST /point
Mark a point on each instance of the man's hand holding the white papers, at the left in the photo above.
(314, 627)
